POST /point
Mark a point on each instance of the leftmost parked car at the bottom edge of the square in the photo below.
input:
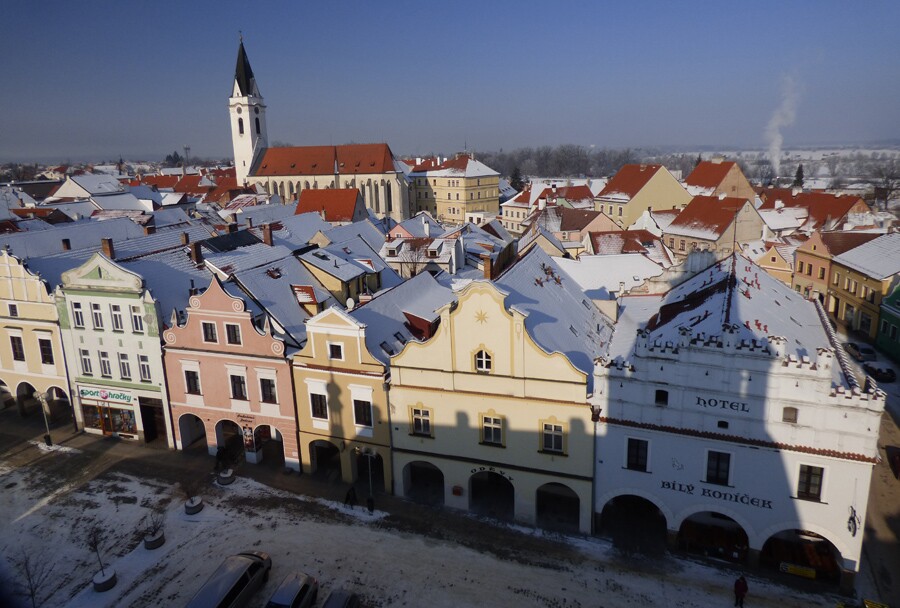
(234, 582)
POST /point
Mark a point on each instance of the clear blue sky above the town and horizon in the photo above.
(100, 79)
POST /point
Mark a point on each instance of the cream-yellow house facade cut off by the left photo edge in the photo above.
(31, 353)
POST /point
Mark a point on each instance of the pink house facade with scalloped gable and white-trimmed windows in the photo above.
(230, 383)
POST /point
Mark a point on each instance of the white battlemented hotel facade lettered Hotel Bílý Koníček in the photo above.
(742, 442)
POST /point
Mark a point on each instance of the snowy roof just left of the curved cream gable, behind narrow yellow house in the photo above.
(385, 315)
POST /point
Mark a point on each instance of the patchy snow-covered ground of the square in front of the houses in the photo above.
(340, 546)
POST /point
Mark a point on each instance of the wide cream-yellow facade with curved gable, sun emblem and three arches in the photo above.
(485, 419)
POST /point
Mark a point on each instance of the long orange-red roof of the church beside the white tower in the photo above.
(325, 160)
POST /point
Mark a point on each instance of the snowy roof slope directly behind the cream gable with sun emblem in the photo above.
(559, 316)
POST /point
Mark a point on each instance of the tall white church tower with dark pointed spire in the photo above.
(248, 117)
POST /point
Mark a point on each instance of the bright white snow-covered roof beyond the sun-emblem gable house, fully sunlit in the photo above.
(601, 277)
